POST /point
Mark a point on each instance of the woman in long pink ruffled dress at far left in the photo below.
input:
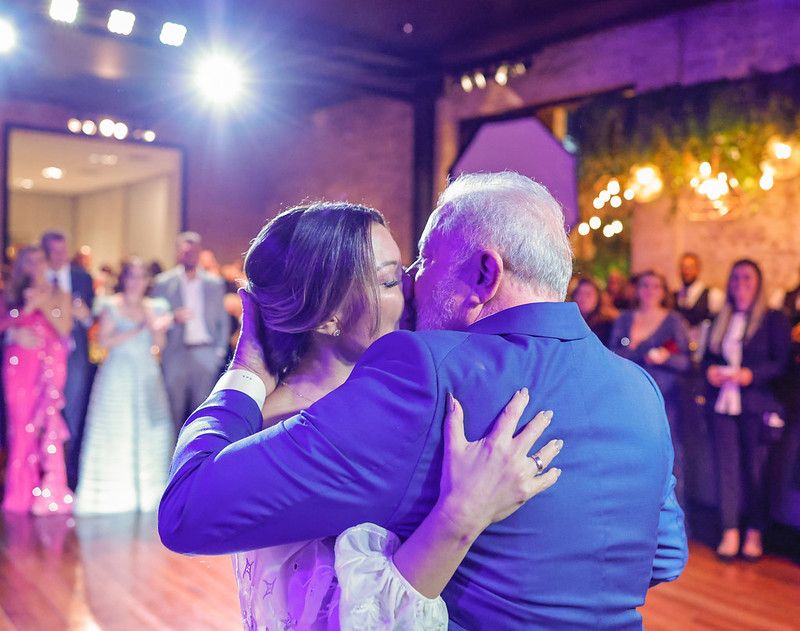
(35, 366)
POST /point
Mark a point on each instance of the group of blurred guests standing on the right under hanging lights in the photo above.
(720, 357)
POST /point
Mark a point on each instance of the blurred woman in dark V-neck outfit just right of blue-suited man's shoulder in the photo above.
(655, 337)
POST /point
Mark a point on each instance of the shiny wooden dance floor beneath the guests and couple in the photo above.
(112, 573)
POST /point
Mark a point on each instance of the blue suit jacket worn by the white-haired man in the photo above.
(580, 555)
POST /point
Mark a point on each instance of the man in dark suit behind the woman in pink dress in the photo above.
(74, 280)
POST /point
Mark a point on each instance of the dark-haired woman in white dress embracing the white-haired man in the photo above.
(325, 282)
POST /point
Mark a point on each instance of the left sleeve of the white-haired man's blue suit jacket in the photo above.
(346, 460)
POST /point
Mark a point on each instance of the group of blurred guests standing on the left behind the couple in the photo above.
(98, 439)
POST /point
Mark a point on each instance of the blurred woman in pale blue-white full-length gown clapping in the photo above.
(129, 433)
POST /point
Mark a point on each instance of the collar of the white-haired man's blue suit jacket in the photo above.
(559, 320)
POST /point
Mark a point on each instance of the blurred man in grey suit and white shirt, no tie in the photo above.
(198, 342)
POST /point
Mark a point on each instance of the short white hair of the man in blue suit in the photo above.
(514, 215)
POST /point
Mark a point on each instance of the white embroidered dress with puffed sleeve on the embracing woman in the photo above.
(345, 584)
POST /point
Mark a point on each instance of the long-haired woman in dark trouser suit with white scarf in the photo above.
(748, 351)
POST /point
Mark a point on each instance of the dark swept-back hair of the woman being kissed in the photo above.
(305, 265)
